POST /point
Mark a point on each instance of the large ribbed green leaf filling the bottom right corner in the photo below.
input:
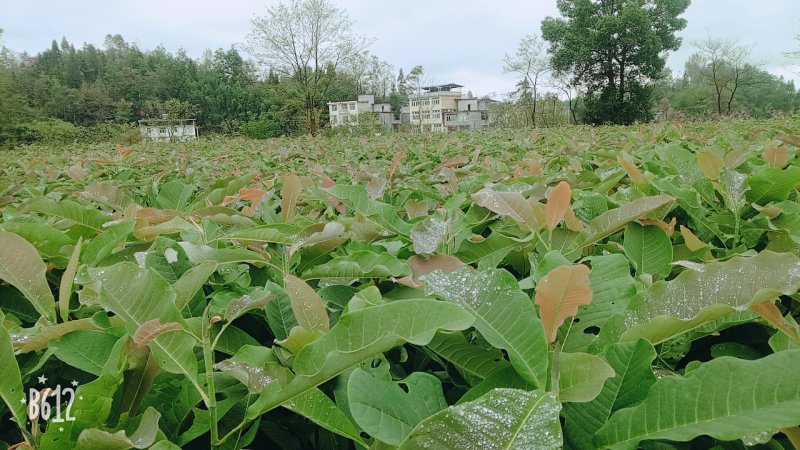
(726, 398)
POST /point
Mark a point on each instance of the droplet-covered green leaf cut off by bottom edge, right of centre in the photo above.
(501, 419)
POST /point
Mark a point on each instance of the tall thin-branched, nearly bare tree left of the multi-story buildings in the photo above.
(305, 41)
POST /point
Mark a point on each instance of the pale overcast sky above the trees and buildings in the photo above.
(459, 41)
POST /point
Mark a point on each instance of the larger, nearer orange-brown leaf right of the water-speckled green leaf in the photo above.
(560, 293)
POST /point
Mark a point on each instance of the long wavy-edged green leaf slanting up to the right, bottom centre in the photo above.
(359, 335)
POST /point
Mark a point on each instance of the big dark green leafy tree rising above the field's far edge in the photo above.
(615, 49)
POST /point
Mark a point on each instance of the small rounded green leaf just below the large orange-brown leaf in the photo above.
(581, 376)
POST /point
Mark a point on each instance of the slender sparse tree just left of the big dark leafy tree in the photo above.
(531, 63)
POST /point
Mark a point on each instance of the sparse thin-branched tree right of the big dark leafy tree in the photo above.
(725, 67)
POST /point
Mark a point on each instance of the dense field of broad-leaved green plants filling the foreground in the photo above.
(584, 288)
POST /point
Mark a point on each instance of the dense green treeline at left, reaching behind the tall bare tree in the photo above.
(91, 93)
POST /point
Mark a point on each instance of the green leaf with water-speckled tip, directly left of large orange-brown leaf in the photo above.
(504, 315)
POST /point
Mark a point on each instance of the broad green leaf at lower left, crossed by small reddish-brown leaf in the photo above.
(139, 295)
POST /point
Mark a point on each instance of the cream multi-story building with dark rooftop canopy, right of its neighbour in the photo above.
(444, 107)
